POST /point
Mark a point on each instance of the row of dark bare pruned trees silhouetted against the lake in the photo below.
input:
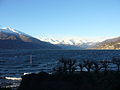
(70, 65)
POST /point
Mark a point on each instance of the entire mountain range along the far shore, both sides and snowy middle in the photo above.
(13, 39)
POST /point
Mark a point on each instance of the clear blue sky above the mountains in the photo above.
(62, 18)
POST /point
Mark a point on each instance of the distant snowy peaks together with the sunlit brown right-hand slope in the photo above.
(113, 43)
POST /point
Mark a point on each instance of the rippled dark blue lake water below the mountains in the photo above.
(14, 63)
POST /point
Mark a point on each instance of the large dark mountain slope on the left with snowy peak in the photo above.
(14, 39)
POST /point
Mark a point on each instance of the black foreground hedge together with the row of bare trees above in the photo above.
(92, 75)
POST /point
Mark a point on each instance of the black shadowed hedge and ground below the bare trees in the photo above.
(81, 81)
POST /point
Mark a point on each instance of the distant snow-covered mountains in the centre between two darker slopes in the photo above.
(73, 43)
